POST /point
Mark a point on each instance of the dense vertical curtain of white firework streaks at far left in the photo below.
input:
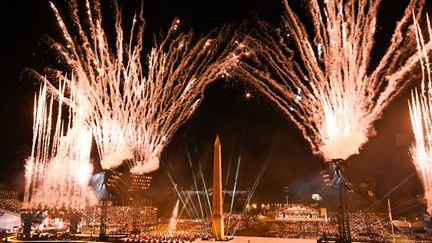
(59, 169)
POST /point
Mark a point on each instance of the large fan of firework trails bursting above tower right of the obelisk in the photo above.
(325, 84)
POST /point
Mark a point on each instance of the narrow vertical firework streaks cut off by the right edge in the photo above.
(420, 106)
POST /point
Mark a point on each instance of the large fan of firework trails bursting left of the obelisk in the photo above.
(135, 108)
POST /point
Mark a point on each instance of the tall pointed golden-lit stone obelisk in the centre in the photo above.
(218, 230)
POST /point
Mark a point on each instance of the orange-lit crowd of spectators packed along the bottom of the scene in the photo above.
(143, 223)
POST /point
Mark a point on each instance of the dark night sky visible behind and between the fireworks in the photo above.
(252, 128)
